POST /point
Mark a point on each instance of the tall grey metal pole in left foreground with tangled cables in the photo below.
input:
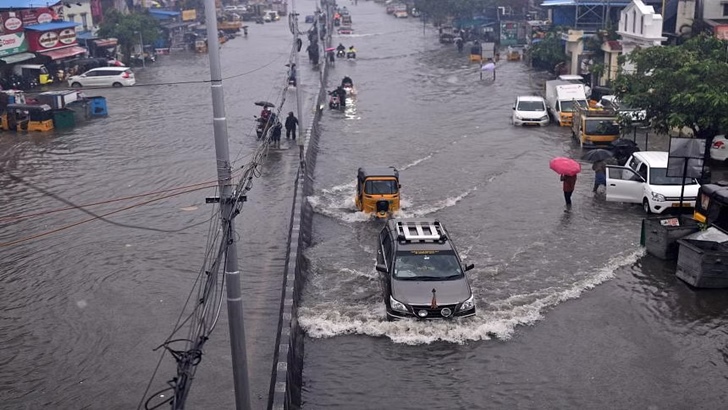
(224, 175)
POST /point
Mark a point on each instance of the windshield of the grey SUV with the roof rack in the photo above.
(430, 265)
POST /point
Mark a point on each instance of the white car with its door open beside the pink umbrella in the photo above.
(643, 180)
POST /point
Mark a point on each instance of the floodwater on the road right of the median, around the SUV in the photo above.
(571, 312)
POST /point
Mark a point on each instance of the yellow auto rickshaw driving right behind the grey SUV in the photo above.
(377, 190)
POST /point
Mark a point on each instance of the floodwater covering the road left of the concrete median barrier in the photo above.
(82, 307)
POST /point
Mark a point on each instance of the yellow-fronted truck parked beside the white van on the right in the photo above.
(594, 126)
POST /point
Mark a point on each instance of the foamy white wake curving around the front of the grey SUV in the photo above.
(365, 314)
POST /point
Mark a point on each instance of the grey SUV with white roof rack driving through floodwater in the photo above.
(421, 272)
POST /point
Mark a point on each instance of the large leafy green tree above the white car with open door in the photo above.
(680, 86)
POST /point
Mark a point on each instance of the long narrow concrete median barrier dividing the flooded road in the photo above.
(286, 380)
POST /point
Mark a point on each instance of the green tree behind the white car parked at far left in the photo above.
(127, 27)
